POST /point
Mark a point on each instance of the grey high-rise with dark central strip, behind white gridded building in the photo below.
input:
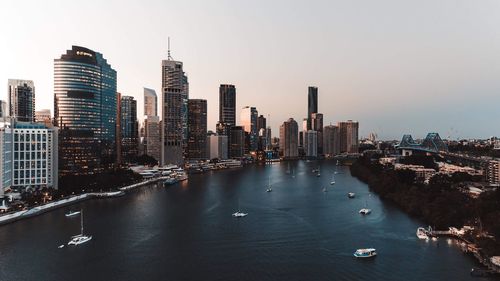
(22, 100)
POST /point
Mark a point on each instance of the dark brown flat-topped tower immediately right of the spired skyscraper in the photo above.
(197, 129)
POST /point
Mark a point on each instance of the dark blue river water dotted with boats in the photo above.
(186, 232)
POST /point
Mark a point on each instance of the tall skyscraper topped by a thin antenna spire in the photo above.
(175, 94)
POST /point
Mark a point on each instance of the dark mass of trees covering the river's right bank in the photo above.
(439, 203)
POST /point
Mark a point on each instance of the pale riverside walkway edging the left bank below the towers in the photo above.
(53, 205)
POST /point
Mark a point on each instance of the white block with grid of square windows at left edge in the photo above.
(29, 156)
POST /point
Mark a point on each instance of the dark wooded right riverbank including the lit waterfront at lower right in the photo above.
(434, 204)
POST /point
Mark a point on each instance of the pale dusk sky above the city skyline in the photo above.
(395, 66)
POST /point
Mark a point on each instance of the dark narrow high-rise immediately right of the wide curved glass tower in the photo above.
(129, 129)
